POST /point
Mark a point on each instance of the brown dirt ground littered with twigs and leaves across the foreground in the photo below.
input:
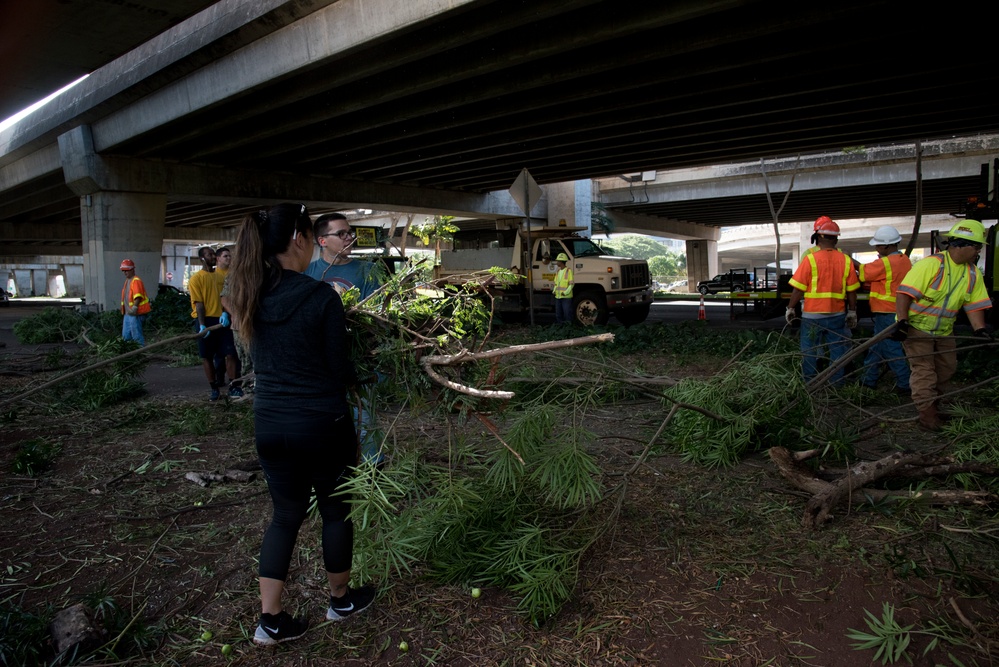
(706, 567)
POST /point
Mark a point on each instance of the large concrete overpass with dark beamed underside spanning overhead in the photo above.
(436, 105)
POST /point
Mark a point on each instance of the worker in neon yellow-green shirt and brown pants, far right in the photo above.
(926, 306)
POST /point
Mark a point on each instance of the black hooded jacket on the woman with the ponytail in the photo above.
(299, 348)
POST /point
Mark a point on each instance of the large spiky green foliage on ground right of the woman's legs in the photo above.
(485, 516)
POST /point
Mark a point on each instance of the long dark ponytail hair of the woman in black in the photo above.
(255, 269)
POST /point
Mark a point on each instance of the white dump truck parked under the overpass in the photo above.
(604, 284)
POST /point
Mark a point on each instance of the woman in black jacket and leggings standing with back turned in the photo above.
(305, 438)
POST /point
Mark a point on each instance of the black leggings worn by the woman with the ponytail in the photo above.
(300, 451)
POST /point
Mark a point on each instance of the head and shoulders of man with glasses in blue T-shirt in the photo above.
(335, 265)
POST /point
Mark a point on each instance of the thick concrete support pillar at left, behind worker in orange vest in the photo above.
(119, 225)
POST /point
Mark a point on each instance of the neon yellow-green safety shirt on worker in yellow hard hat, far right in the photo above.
(939, 288)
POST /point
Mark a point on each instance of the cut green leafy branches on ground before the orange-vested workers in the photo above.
(747, 404)
